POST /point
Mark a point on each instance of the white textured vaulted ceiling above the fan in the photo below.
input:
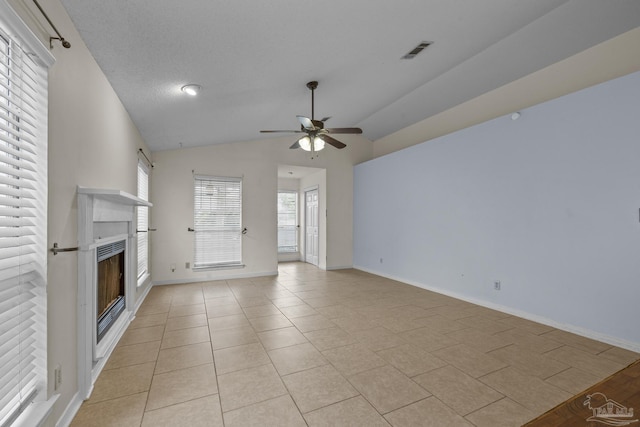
(253, 58)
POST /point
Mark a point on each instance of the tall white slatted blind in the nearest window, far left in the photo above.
(23, 227)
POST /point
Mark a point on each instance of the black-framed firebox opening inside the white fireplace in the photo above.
(110, 295)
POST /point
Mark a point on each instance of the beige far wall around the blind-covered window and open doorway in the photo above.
(257, 162)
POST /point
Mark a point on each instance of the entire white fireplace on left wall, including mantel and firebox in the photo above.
(106, 231)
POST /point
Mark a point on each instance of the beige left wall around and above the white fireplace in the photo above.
(92, 143)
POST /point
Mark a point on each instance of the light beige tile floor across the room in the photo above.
(318, 348)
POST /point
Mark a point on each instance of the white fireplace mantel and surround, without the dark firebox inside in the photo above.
(104, 215)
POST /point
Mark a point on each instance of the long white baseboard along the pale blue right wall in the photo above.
(587, 333)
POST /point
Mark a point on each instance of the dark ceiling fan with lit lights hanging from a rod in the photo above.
(316, 134)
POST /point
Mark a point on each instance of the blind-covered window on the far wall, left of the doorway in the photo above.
(217, 222)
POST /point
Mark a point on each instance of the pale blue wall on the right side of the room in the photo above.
(547, 204)
